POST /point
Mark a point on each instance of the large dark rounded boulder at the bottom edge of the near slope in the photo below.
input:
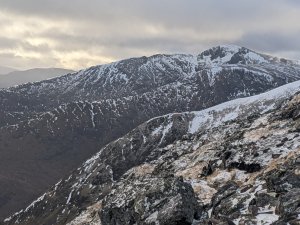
(168, 201)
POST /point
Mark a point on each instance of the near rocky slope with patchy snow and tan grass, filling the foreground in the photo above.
(234, 163)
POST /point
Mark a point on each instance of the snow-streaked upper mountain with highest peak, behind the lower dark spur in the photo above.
(216, 75)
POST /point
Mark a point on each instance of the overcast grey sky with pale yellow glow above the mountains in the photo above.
(80, 33)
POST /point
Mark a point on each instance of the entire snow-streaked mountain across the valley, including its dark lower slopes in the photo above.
(48, 128)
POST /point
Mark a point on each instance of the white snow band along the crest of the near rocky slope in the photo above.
(218, 115)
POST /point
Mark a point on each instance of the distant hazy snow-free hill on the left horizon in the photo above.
(20, 77)
